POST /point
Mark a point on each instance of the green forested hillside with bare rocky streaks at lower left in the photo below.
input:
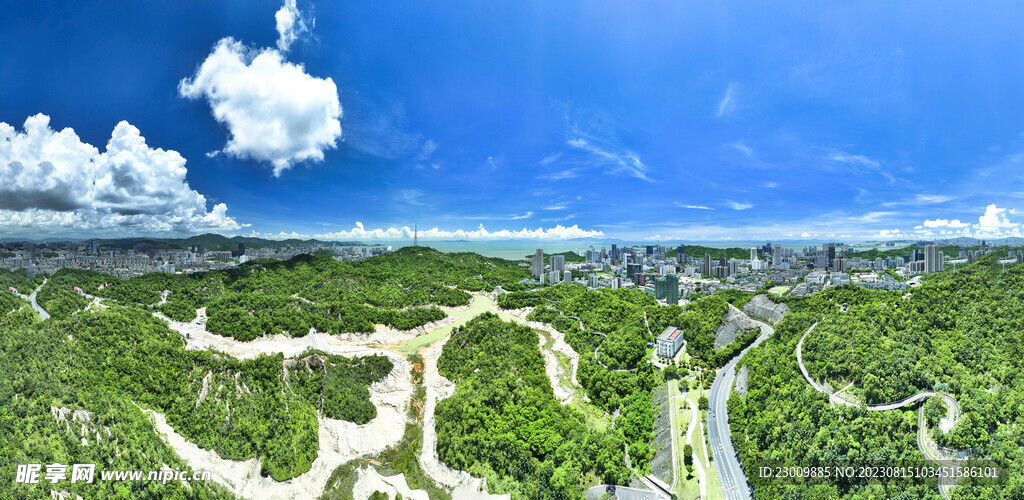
(113, 362)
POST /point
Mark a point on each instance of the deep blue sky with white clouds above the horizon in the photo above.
(661, 120)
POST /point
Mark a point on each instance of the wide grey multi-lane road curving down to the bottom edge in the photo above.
(731, 474)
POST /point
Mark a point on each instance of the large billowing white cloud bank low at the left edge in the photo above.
(54, 182)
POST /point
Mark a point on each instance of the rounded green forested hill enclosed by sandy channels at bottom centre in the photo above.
(504, 423)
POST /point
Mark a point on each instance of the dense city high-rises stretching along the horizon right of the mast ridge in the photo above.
(804, 271)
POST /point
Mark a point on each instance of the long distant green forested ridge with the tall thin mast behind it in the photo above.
(398, 289)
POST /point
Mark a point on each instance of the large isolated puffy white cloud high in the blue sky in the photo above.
(274, 110)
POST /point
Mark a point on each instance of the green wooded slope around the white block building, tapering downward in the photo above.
(618, 326)
